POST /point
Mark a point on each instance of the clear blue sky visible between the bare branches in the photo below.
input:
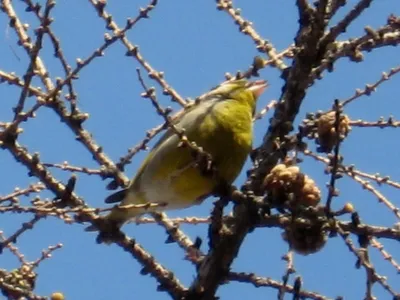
(194, 44)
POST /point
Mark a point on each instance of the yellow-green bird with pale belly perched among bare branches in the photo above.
(221, 123)
